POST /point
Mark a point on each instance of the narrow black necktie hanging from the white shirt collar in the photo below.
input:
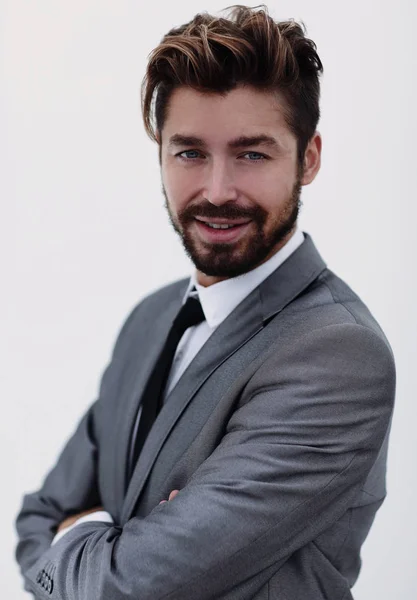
(190, 314)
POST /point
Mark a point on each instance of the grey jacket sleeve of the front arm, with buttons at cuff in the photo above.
(294, 455)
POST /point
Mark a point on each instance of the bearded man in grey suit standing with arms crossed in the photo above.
(237, 448)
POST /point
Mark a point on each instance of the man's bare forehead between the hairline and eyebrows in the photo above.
(242, 110)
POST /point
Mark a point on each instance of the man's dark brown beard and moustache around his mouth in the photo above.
(232, 259)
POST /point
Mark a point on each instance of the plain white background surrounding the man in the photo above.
(84, 234)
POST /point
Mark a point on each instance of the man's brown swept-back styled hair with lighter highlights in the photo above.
(215, 55)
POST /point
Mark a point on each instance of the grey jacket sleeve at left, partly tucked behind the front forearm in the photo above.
(71, 486)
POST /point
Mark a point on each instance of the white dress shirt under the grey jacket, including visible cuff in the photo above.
(217, 301)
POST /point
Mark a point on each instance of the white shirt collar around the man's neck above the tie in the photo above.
(220, 299)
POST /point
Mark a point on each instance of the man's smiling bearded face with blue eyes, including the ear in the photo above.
(230, 178)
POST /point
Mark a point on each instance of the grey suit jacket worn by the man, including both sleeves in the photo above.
(276, 436)
